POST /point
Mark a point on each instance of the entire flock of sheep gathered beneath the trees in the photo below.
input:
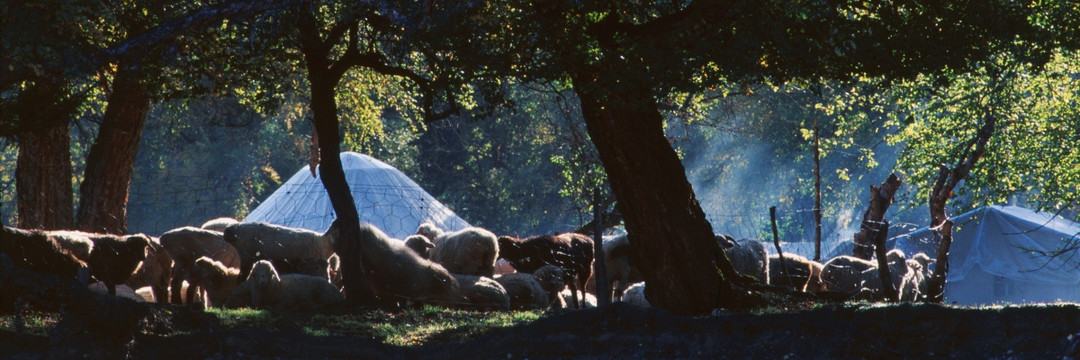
(229, 264)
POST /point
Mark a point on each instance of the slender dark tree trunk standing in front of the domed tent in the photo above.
(326, 119)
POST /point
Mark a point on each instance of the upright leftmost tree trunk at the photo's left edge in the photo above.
(44, 168)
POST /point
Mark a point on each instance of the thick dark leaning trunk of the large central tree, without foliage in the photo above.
(674, 243)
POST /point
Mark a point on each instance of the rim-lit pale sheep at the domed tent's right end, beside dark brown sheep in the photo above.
(469, 251)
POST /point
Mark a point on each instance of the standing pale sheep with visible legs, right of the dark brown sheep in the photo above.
(188, 244)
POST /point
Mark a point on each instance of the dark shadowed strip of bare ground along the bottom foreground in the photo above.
(627, 332)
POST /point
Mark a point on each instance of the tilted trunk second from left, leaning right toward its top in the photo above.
(103, 202)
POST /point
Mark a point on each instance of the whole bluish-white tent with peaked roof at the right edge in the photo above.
(994, 258)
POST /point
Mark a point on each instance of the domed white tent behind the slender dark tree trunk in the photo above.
(385, 197)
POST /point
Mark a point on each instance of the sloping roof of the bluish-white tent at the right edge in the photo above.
(1004, 242)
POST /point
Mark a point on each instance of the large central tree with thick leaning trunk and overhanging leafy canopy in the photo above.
(622, 58)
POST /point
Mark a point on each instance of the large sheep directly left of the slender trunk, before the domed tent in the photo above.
(278, 244)
